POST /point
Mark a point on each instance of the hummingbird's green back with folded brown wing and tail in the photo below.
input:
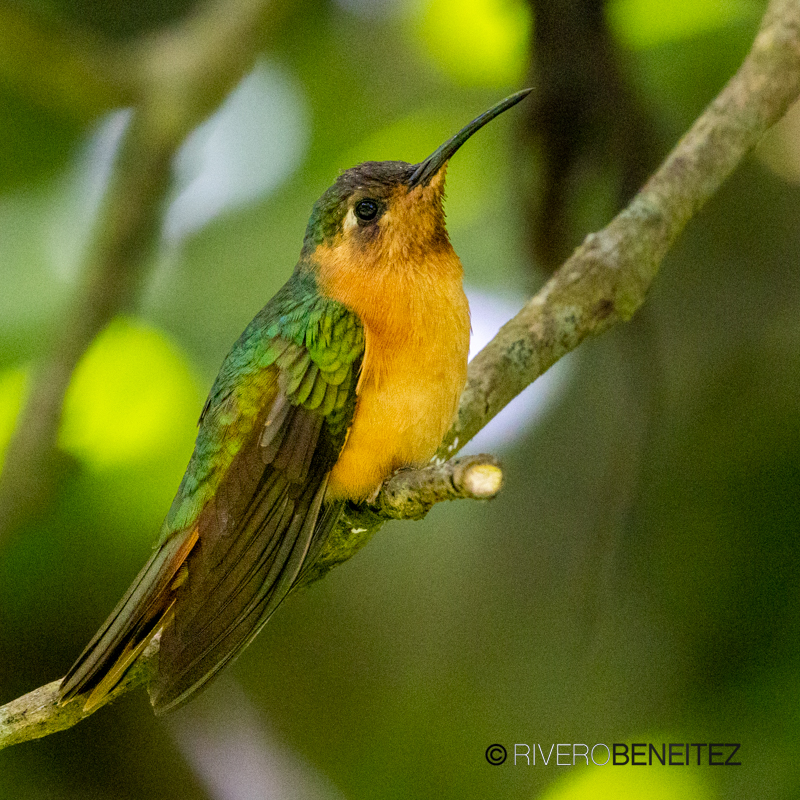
(250, 514)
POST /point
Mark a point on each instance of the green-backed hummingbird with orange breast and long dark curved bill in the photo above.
(353, 370)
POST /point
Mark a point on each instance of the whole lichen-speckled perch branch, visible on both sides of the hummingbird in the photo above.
(604, 282)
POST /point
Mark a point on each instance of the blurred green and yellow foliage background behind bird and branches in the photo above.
(639, 577)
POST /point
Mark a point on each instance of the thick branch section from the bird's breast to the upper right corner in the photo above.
(606, 280)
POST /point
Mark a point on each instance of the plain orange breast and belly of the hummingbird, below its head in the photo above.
(416, 329)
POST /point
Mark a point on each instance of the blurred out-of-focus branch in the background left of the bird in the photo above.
(175, 79)
